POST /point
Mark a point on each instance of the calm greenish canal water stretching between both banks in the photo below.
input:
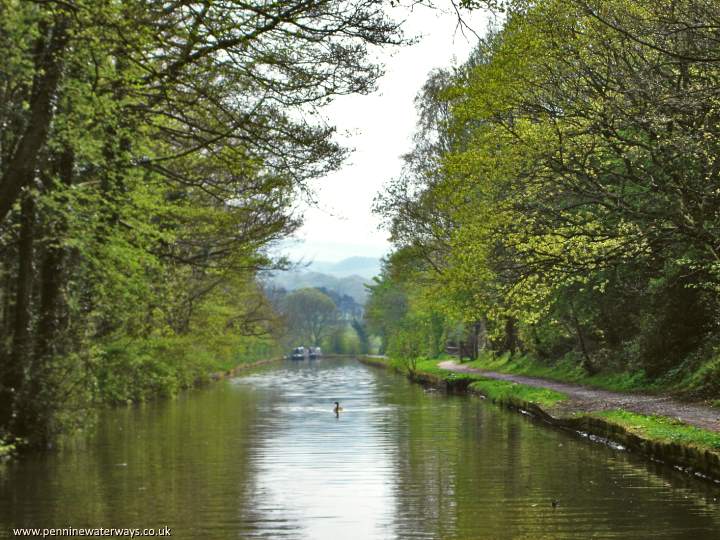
(264, 456)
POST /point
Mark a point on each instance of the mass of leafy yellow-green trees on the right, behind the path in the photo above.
(562, 198)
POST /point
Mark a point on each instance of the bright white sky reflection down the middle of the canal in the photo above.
(317, 473)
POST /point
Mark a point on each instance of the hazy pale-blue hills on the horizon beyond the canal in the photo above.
(348, 276)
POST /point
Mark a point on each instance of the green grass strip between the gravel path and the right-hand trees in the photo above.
(565, 370)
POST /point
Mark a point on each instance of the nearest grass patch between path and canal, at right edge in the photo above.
(660, 428)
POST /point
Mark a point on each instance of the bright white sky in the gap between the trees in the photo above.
(379, 127)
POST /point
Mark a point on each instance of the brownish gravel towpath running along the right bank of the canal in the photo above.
(583, 398)
